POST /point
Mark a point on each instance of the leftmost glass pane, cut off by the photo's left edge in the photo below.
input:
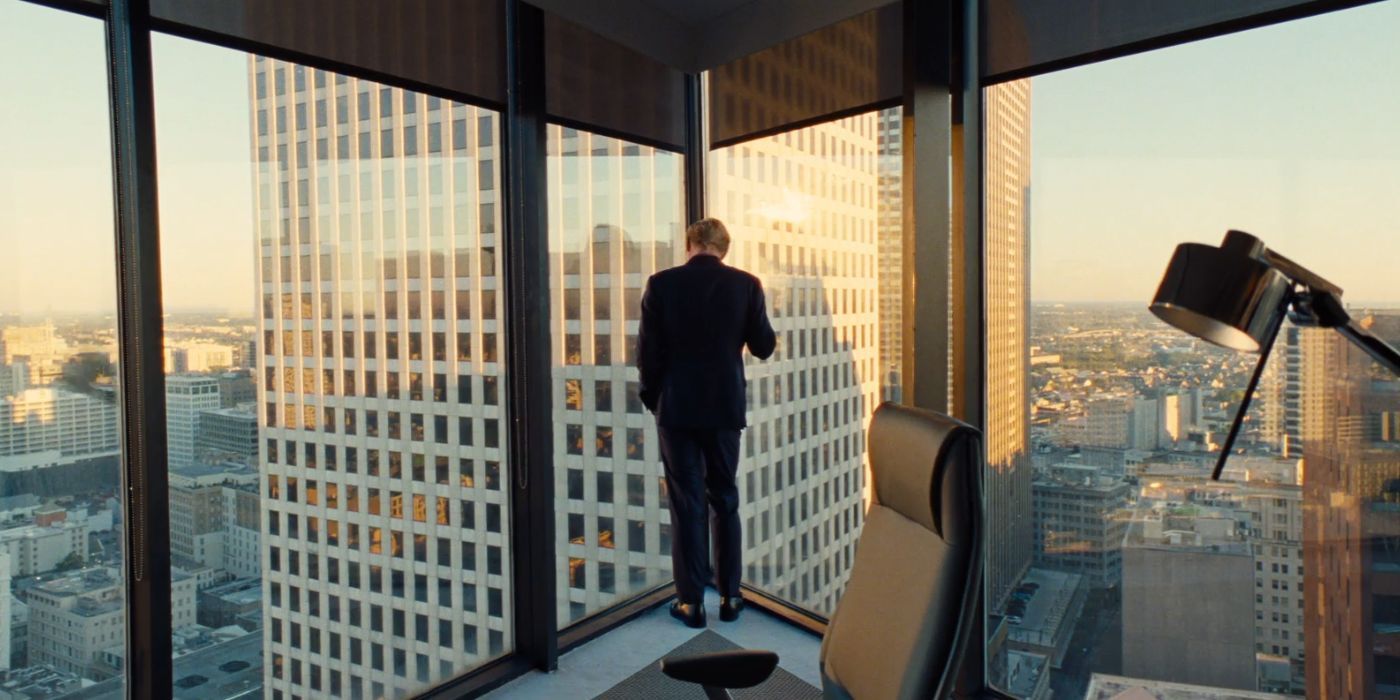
(64, 600)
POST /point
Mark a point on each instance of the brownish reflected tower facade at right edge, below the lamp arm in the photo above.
(1352, 513)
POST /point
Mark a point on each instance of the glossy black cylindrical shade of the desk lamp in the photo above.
(1228, 296)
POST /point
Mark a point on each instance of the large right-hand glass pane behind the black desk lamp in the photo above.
(1142, 570)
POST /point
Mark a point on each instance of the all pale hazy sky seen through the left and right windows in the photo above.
(1287, 132)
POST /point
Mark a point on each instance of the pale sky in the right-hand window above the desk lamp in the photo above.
(1291, 134)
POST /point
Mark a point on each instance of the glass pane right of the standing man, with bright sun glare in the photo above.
(815, 215)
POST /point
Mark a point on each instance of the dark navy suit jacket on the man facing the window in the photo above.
(695, 323)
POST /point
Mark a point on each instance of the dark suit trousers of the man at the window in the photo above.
(702, 467)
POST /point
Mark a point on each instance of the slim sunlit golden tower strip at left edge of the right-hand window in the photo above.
(1007, 220)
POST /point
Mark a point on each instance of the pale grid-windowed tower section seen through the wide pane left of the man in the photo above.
(380, 400)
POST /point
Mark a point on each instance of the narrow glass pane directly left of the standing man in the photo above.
(615, 218)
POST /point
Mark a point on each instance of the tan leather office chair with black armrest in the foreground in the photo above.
(904, 624)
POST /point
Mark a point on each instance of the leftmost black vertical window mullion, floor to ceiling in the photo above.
(141, 332)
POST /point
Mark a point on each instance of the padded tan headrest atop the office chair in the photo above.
(911, 453)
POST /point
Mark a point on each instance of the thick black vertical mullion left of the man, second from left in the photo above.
(526, 257)
